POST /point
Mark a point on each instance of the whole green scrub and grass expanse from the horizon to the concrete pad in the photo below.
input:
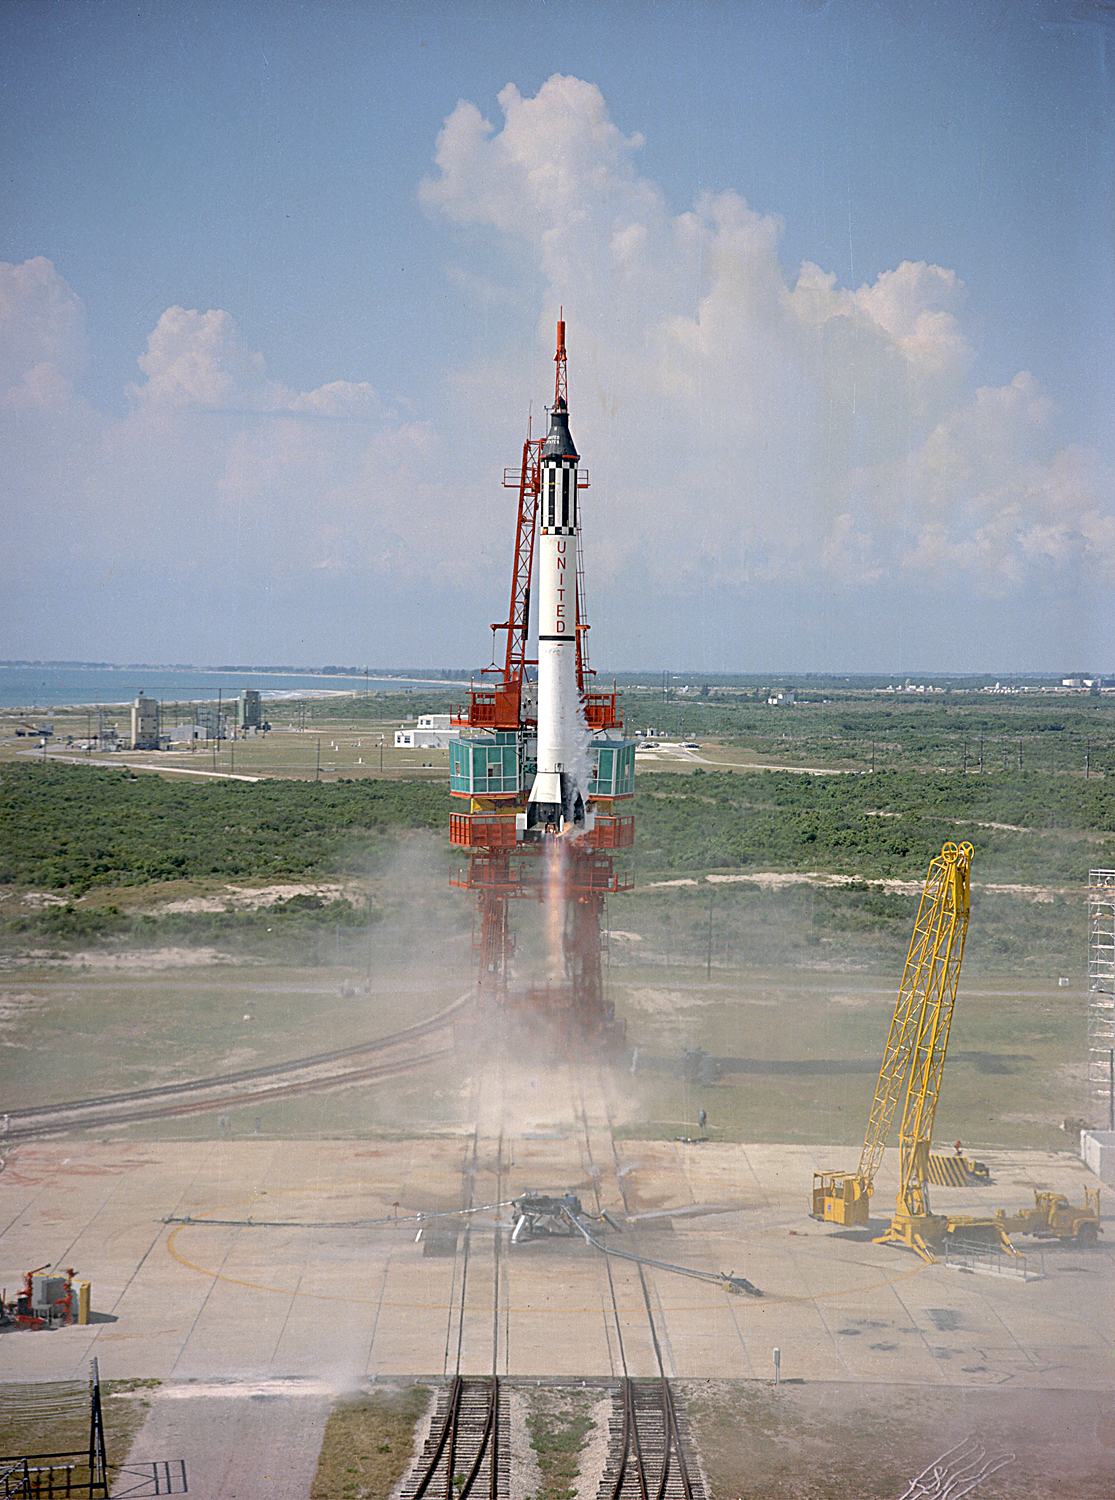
(769, 923)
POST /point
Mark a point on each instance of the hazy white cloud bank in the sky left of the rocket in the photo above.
(218, 475)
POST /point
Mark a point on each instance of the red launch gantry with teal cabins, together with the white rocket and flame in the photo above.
(542, 770)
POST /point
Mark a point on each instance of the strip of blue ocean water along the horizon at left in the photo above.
(58, 685)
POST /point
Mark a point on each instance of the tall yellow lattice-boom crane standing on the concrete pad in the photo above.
(913, 1060)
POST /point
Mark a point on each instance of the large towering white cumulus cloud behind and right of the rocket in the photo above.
(810, 430)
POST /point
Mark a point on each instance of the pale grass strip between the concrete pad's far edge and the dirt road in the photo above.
(795, 1054)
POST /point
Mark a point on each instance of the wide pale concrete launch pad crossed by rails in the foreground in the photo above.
(329, 1282)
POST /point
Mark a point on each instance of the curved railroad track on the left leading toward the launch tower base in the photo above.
(382, 1058)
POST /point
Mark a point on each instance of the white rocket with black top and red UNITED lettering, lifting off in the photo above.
(557, 800)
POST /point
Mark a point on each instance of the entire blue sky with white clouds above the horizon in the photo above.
(280, 286)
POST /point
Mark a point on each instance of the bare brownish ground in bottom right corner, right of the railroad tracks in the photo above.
(832, 1441)
